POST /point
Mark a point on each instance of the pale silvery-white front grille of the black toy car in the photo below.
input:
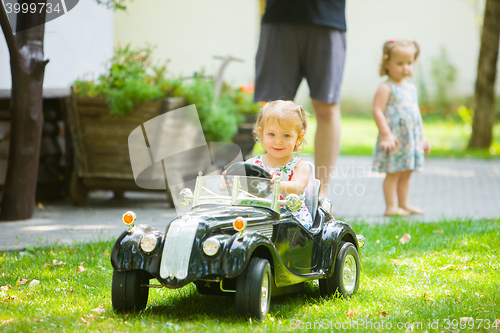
(177, 249)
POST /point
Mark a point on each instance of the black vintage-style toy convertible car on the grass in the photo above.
(237, 238)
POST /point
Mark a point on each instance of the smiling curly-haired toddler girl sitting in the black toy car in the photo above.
(280, 127)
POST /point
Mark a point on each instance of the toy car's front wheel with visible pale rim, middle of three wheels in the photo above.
(253, 289)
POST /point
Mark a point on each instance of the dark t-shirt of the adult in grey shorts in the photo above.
(330, 13)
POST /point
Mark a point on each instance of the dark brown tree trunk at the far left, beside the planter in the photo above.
(27, 68)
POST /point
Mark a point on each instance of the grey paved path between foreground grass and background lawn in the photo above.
(447, 188)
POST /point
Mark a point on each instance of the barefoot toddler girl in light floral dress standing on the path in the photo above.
(401, 142)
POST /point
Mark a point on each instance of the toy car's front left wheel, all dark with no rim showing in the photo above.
(127, 291)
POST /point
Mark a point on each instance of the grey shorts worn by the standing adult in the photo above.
(288, 52)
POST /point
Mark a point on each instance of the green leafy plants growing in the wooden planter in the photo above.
(132, 78)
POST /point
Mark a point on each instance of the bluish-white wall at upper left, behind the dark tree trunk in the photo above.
(76, 43)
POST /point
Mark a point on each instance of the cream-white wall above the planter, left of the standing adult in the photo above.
(191, 32)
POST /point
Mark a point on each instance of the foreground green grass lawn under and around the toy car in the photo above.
(448, 271)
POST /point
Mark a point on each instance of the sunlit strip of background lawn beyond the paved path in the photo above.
(447, 138)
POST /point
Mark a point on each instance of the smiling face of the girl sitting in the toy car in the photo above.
(278, 141)
